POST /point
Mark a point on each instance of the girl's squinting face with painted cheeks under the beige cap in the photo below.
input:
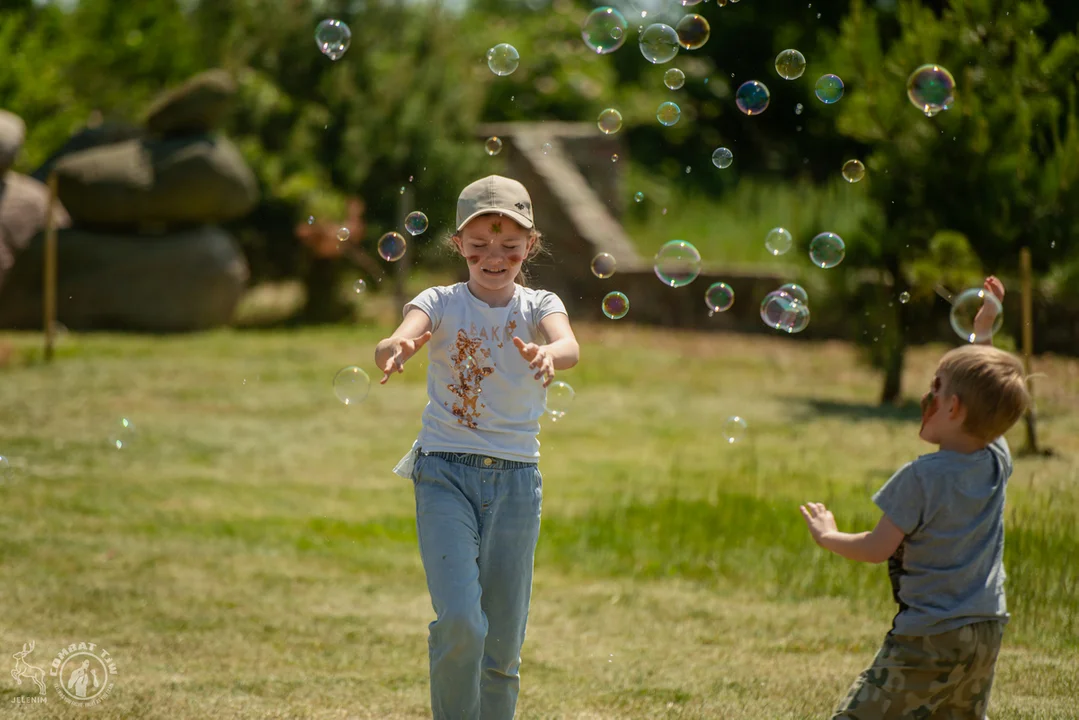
(496, 248)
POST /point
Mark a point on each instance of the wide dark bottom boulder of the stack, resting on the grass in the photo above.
(182, 282)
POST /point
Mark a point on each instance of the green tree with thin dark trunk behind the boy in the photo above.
(1001, 168)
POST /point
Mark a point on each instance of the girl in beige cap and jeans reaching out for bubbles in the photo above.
(495, 348)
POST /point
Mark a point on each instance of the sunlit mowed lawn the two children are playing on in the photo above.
(250, 553)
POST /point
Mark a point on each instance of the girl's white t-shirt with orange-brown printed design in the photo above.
(483, 397)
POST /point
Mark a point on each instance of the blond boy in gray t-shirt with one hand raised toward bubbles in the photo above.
(943, 534)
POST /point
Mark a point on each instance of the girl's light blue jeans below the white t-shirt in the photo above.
(479, 523)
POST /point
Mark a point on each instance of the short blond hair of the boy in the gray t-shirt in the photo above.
(991, 385)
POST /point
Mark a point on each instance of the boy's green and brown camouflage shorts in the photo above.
(947, 676)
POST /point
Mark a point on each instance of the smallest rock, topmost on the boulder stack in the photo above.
(198, 106)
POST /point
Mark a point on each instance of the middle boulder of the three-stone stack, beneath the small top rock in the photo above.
(154, 183)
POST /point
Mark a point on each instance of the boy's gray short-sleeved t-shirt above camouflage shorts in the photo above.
(949, 570)
